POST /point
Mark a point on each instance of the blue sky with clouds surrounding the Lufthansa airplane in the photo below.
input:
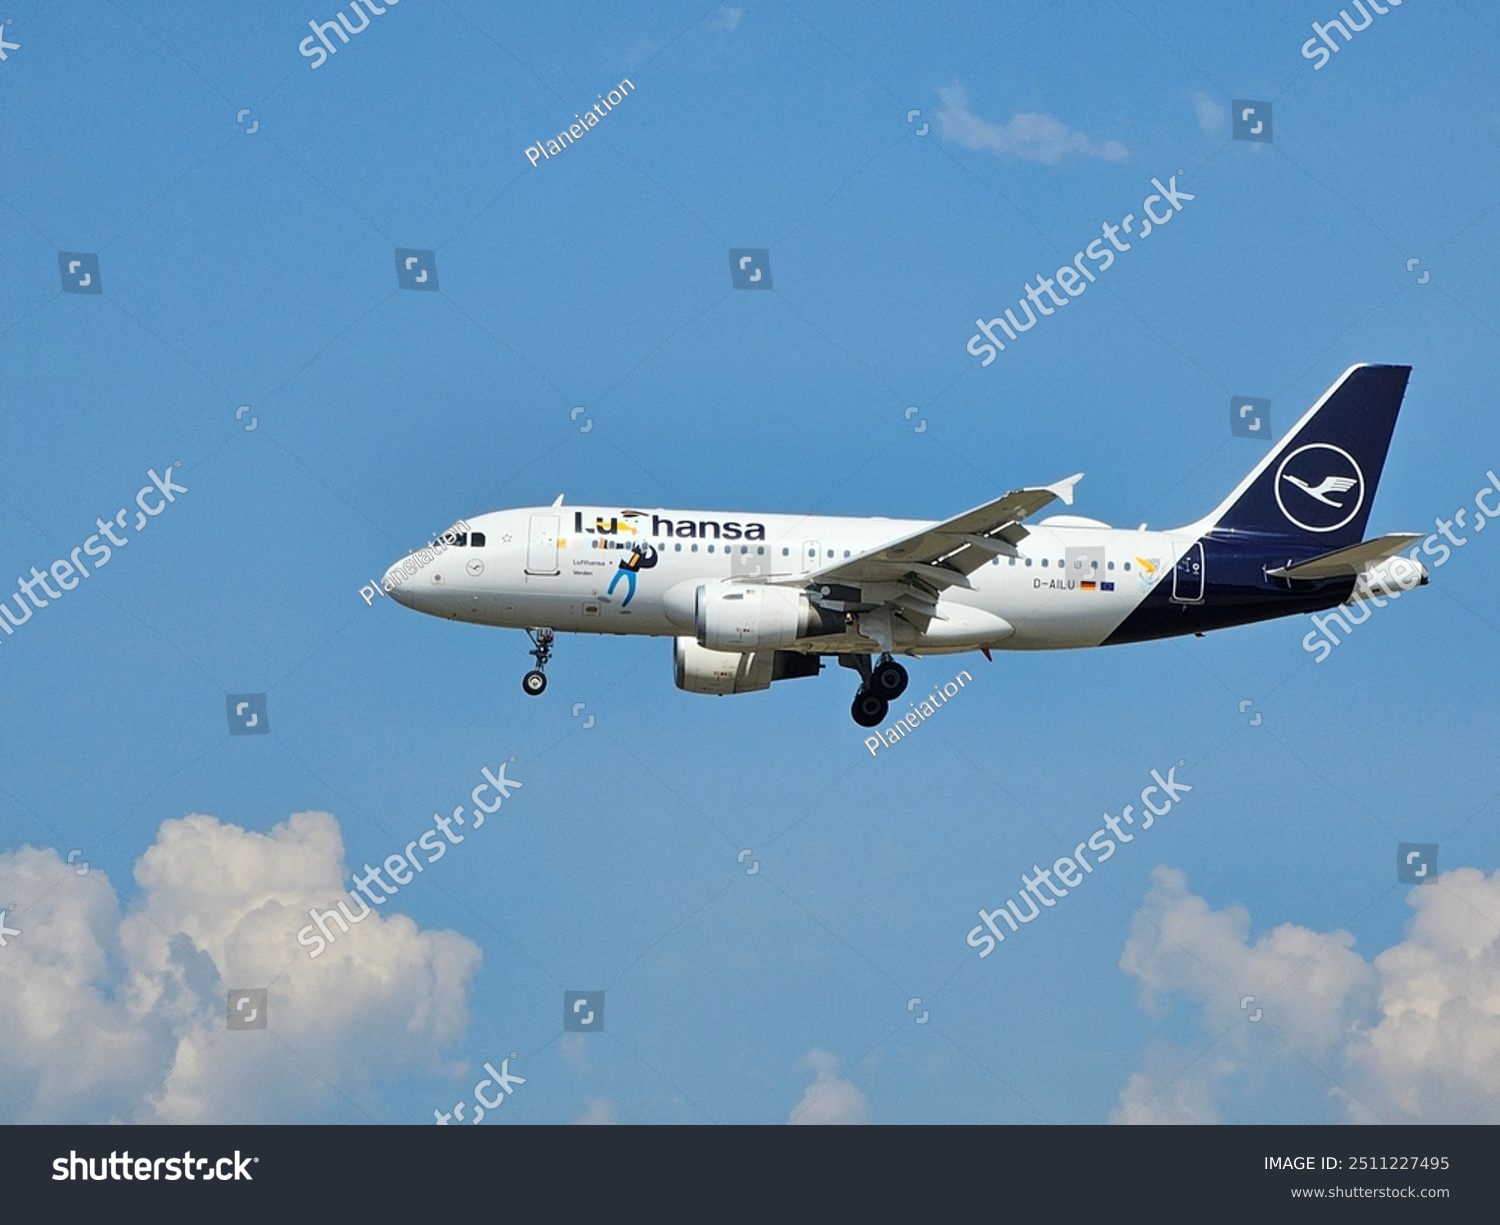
(257, 269)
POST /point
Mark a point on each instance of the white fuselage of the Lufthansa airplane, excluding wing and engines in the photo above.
(562, 568)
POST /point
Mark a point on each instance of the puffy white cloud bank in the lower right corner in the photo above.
(1411, 1037)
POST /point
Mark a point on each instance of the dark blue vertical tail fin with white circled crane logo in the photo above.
(1319, 484)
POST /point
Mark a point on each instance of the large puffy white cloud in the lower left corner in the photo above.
(109, 1017)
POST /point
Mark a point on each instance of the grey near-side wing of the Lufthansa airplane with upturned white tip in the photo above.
(905, 578)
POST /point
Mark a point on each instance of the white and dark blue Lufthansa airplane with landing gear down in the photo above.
(754, 599)
